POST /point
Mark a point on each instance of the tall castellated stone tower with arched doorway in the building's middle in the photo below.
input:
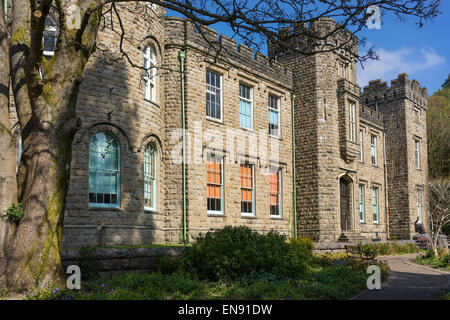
(325, 86)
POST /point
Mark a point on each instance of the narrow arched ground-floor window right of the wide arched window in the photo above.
(150, 177)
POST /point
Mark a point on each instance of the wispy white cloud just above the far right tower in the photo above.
(391, 63)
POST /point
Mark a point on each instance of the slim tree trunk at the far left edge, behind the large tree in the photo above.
(8, 185)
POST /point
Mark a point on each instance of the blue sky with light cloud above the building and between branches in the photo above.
(423, 53)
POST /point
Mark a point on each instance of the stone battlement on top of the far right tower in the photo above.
(401, 88)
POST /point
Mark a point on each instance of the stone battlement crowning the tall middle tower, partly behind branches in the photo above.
(307, 37)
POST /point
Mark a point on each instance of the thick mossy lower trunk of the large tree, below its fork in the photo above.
(34, 247)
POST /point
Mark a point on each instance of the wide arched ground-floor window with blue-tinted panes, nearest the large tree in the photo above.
(104, 172)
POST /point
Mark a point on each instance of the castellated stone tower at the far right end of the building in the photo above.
(404, 106)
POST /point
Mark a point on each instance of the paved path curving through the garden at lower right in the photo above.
(408, 281)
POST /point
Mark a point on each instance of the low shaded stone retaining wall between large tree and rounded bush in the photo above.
(117, 261)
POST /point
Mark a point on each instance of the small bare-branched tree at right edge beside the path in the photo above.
(438, 209)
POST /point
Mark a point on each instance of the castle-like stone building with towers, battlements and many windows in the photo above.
(360, 156)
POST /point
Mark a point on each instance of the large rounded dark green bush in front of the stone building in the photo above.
(235, 252)
